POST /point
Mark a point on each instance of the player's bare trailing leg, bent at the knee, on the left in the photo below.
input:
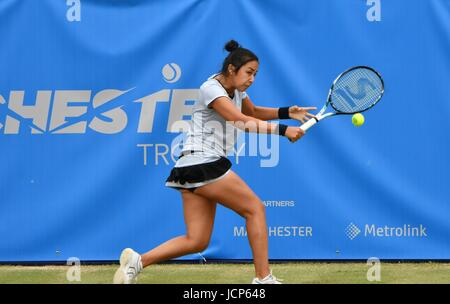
(199, 214)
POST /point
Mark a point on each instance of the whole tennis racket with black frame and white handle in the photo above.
(354, 91)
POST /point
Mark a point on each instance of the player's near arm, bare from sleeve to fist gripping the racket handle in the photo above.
(229, 112)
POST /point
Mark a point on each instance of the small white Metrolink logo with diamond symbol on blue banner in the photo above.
(353, 231)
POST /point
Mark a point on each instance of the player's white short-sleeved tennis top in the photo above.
(209, 132)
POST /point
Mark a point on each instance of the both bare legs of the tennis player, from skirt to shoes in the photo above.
(199, 209)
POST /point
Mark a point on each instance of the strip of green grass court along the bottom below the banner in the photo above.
(291, 273)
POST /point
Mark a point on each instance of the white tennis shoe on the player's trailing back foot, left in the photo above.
(130, 267)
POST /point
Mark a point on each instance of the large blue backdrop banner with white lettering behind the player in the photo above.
(95, 96)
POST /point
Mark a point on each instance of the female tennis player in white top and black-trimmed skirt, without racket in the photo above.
(202, 174)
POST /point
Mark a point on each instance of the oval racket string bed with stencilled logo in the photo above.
(356, 91)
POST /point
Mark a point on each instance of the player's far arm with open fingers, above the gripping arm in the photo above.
(266, 113)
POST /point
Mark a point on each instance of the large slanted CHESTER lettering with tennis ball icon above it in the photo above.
(76, 111)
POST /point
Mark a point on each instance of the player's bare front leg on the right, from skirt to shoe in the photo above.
(232, 192)
